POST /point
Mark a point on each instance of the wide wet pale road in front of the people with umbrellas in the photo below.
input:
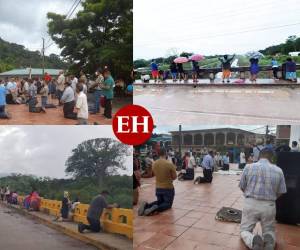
(218, 105)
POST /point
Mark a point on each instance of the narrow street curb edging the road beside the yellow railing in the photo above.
(60, 228)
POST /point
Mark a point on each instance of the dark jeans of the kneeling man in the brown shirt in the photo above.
(165, 198)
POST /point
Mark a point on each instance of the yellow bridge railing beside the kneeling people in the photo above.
(116, 220)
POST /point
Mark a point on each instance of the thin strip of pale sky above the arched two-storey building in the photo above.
(260, 129)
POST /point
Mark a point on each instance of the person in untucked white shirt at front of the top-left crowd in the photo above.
(81, 106)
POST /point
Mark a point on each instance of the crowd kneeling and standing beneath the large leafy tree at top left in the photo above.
(70, 92)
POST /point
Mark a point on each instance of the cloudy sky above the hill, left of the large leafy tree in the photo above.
(25, 22)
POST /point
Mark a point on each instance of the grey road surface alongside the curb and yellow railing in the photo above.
(20, 233)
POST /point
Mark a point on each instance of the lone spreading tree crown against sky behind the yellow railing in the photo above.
(97, 158)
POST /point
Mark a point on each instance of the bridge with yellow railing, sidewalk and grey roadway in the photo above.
(117, 225)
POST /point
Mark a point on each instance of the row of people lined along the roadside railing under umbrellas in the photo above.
(176, 70)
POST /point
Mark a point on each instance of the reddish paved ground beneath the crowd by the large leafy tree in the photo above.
(21, 116)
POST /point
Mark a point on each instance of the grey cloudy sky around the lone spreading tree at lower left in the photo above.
(43, 150)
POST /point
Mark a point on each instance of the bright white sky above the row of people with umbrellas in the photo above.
(161, 27)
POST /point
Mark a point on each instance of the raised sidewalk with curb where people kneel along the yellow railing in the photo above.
(100, 240)
